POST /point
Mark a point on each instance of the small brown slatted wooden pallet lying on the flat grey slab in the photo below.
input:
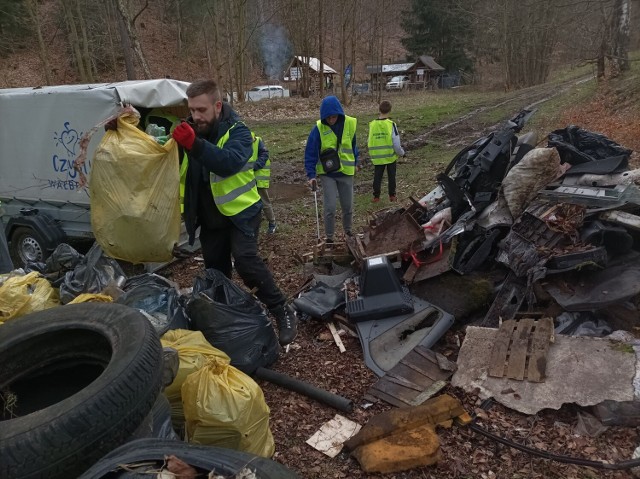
(520, 349)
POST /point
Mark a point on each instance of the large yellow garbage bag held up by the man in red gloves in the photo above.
(134, 185)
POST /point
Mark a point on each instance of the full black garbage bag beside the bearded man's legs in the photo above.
(233, 321)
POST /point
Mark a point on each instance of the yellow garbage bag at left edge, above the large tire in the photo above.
(20, 295)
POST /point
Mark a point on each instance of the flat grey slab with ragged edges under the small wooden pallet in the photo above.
(580, 370)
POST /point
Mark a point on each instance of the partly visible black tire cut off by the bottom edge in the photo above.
(151, 453)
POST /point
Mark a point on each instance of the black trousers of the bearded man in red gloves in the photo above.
(225, 241)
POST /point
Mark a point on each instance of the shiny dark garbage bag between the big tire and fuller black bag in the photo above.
(158, 299)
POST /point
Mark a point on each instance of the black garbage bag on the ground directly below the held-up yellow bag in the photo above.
(91, 275)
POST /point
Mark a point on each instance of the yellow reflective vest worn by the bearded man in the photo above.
(235, 193)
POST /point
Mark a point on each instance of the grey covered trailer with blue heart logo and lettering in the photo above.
(39, 187)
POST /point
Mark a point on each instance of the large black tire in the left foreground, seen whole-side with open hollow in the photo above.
(84, 377)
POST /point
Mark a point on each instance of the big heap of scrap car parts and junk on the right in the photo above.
(560, 221)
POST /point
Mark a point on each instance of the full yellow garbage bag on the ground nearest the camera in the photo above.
(224, 407)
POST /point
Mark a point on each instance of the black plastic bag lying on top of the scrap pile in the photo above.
(577, 146)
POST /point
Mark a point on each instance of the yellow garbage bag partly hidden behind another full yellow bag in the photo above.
(194, 351)
